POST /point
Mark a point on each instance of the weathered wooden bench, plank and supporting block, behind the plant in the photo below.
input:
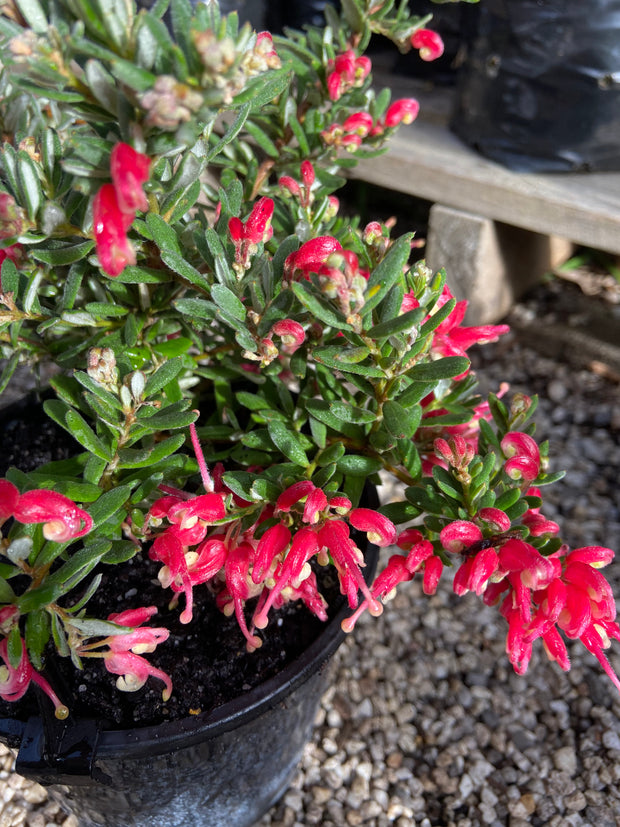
(495, 231)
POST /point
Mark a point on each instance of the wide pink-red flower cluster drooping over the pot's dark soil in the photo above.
(203, 541)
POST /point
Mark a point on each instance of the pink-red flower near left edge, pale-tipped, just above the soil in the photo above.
(62, 519)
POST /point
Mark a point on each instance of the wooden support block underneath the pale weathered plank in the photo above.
(489, 263)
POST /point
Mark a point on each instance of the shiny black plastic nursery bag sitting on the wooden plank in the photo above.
(540, 90)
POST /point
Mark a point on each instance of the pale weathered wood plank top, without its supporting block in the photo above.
(428, 161)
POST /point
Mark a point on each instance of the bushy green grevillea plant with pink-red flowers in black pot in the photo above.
(234, 358)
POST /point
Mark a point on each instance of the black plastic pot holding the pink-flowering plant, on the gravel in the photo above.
(226, 767)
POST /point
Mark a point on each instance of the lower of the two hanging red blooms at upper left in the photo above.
(110, 225)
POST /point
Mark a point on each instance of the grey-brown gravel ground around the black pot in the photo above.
(426, 723)
